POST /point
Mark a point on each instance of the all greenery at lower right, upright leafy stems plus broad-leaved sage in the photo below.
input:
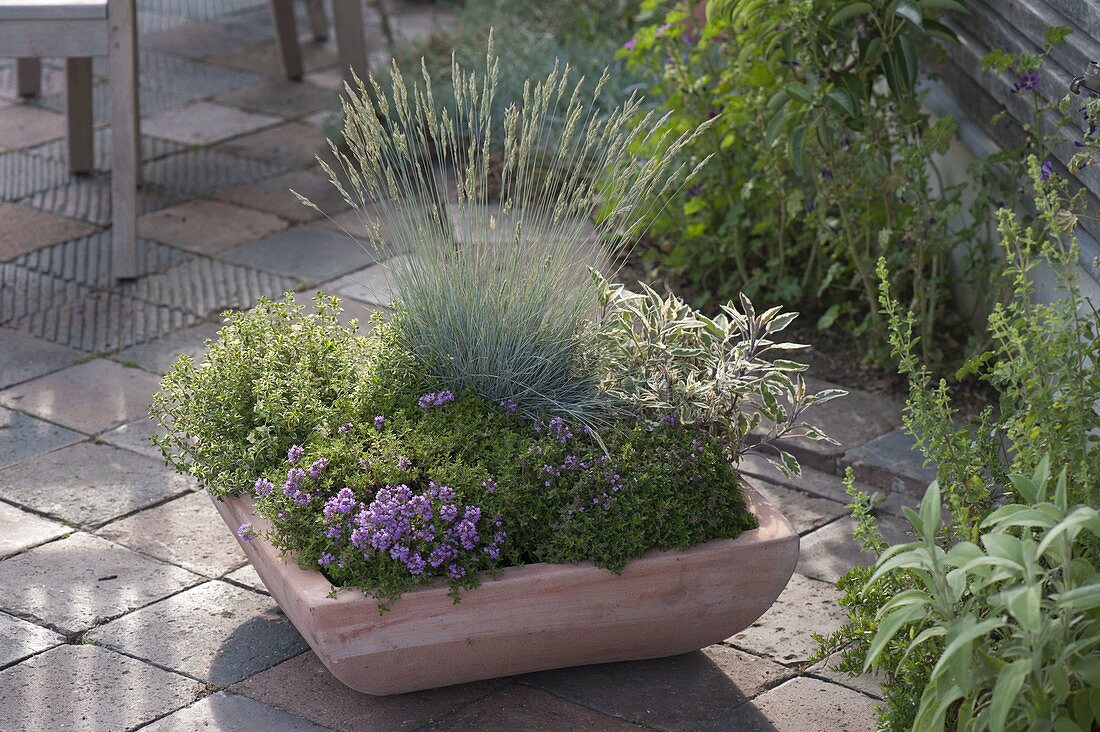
(1006, 603)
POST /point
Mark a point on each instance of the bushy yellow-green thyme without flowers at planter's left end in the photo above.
(272, 378)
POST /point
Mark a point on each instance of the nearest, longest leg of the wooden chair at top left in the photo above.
(123, 67)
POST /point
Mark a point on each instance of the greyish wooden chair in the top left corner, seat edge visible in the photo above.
(79, 30)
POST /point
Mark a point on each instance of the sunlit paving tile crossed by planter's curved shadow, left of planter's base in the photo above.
(217, 633)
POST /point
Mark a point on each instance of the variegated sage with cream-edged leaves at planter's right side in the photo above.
(668, 363)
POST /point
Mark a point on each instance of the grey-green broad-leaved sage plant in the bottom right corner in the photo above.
(1015, 617)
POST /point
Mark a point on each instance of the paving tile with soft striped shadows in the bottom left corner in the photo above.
(82, 689)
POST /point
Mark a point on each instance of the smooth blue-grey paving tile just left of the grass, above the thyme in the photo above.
(310, 253)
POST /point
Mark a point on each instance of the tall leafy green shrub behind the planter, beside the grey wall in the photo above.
(822, 156)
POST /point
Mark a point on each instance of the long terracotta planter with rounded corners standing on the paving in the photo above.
(533, 618)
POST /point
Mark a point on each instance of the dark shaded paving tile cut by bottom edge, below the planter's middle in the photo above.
(540, 712)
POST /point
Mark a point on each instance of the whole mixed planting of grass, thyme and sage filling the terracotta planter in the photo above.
(515, 408)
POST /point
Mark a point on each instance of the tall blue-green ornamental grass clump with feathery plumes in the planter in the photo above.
(494, 288)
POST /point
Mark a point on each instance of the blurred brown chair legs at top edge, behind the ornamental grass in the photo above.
(348, 20)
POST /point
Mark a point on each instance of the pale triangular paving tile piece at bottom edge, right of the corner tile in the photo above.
(232, 713)
